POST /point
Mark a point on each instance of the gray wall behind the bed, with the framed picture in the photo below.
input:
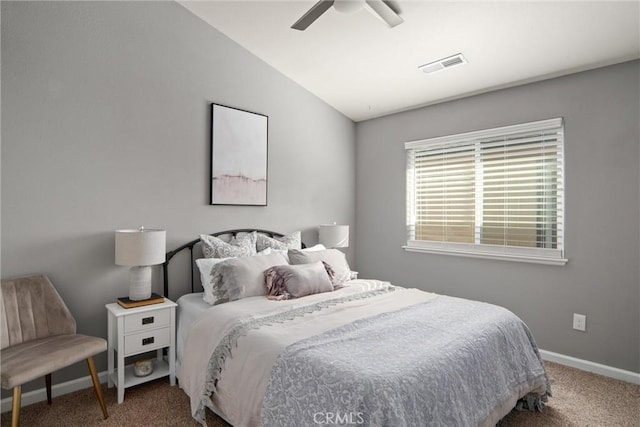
(105, 125)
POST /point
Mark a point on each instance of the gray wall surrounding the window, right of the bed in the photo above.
(601, 280)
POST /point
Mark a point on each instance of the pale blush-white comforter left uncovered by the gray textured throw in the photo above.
(239, 392)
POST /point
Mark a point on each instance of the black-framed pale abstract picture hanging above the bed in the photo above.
(239, 148)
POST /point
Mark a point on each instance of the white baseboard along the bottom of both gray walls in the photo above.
(40, 395)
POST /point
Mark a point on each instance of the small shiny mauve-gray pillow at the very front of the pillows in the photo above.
(294, 281)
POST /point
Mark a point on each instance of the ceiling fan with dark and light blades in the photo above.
(383, 9)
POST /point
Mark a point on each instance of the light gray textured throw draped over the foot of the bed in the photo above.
(410, 368)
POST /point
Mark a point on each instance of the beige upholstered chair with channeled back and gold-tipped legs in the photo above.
(38, 336)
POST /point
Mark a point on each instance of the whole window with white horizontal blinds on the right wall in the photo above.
(496, 193)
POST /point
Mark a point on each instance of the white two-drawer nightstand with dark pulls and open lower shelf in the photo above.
(138, 330)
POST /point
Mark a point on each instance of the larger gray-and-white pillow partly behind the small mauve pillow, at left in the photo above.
(243, 277)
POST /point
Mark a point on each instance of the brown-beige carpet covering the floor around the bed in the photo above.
(579, 399)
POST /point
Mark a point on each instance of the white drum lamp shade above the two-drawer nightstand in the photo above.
(140, 247)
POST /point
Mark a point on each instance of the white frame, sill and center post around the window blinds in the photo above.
(555, 256)
